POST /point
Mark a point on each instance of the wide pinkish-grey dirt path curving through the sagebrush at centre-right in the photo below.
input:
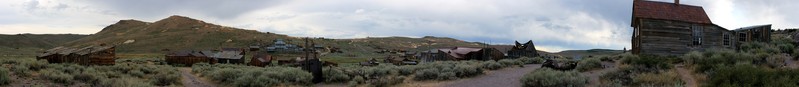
(507, 77)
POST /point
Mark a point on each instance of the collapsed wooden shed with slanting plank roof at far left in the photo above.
(90, 55)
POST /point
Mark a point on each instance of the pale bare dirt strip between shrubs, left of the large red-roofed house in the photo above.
(593, 75)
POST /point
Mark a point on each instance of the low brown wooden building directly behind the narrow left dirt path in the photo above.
(189, 57)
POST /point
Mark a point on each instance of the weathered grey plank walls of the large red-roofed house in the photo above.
(666, 37)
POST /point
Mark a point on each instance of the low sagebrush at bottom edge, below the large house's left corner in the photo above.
(669, 78)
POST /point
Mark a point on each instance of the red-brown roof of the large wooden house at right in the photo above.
(669, 11)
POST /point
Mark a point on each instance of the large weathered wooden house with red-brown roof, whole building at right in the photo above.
(662, 28)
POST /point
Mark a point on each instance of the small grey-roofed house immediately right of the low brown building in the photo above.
(230, 55)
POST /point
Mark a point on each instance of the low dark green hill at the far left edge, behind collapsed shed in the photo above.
(26, 44)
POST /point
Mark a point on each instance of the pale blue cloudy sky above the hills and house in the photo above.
(553, 25)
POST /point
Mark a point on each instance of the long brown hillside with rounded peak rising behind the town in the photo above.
(184, 33)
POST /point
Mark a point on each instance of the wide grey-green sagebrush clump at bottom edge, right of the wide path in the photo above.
(546, 77)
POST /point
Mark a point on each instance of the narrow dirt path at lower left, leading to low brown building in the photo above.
(190, 80)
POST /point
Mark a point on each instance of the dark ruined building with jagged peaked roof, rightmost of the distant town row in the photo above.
(523, 50)
